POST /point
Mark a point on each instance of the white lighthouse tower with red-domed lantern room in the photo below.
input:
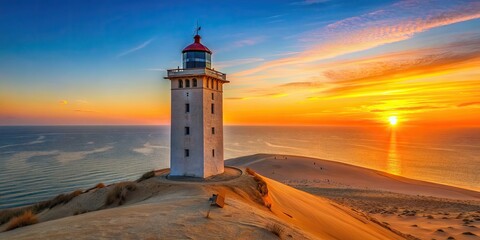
(196, 143)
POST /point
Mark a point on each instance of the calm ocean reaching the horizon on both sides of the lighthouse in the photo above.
(40, 162)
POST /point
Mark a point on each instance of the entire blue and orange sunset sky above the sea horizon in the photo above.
(310, 62)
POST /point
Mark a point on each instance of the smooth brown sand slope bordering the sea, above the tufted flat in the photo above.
(341, 174)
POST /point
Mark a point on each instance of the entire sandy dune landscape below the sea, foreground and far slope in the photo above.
(344, 202)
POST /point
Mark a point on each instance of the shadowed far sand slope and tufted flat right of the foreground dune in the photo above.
(419, 209)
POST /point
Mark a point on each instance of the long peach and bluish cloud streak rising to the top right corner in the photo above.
(393, 24)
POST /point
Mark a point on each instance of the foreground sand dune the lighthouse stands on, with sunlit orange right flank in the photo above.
(160, 208)
